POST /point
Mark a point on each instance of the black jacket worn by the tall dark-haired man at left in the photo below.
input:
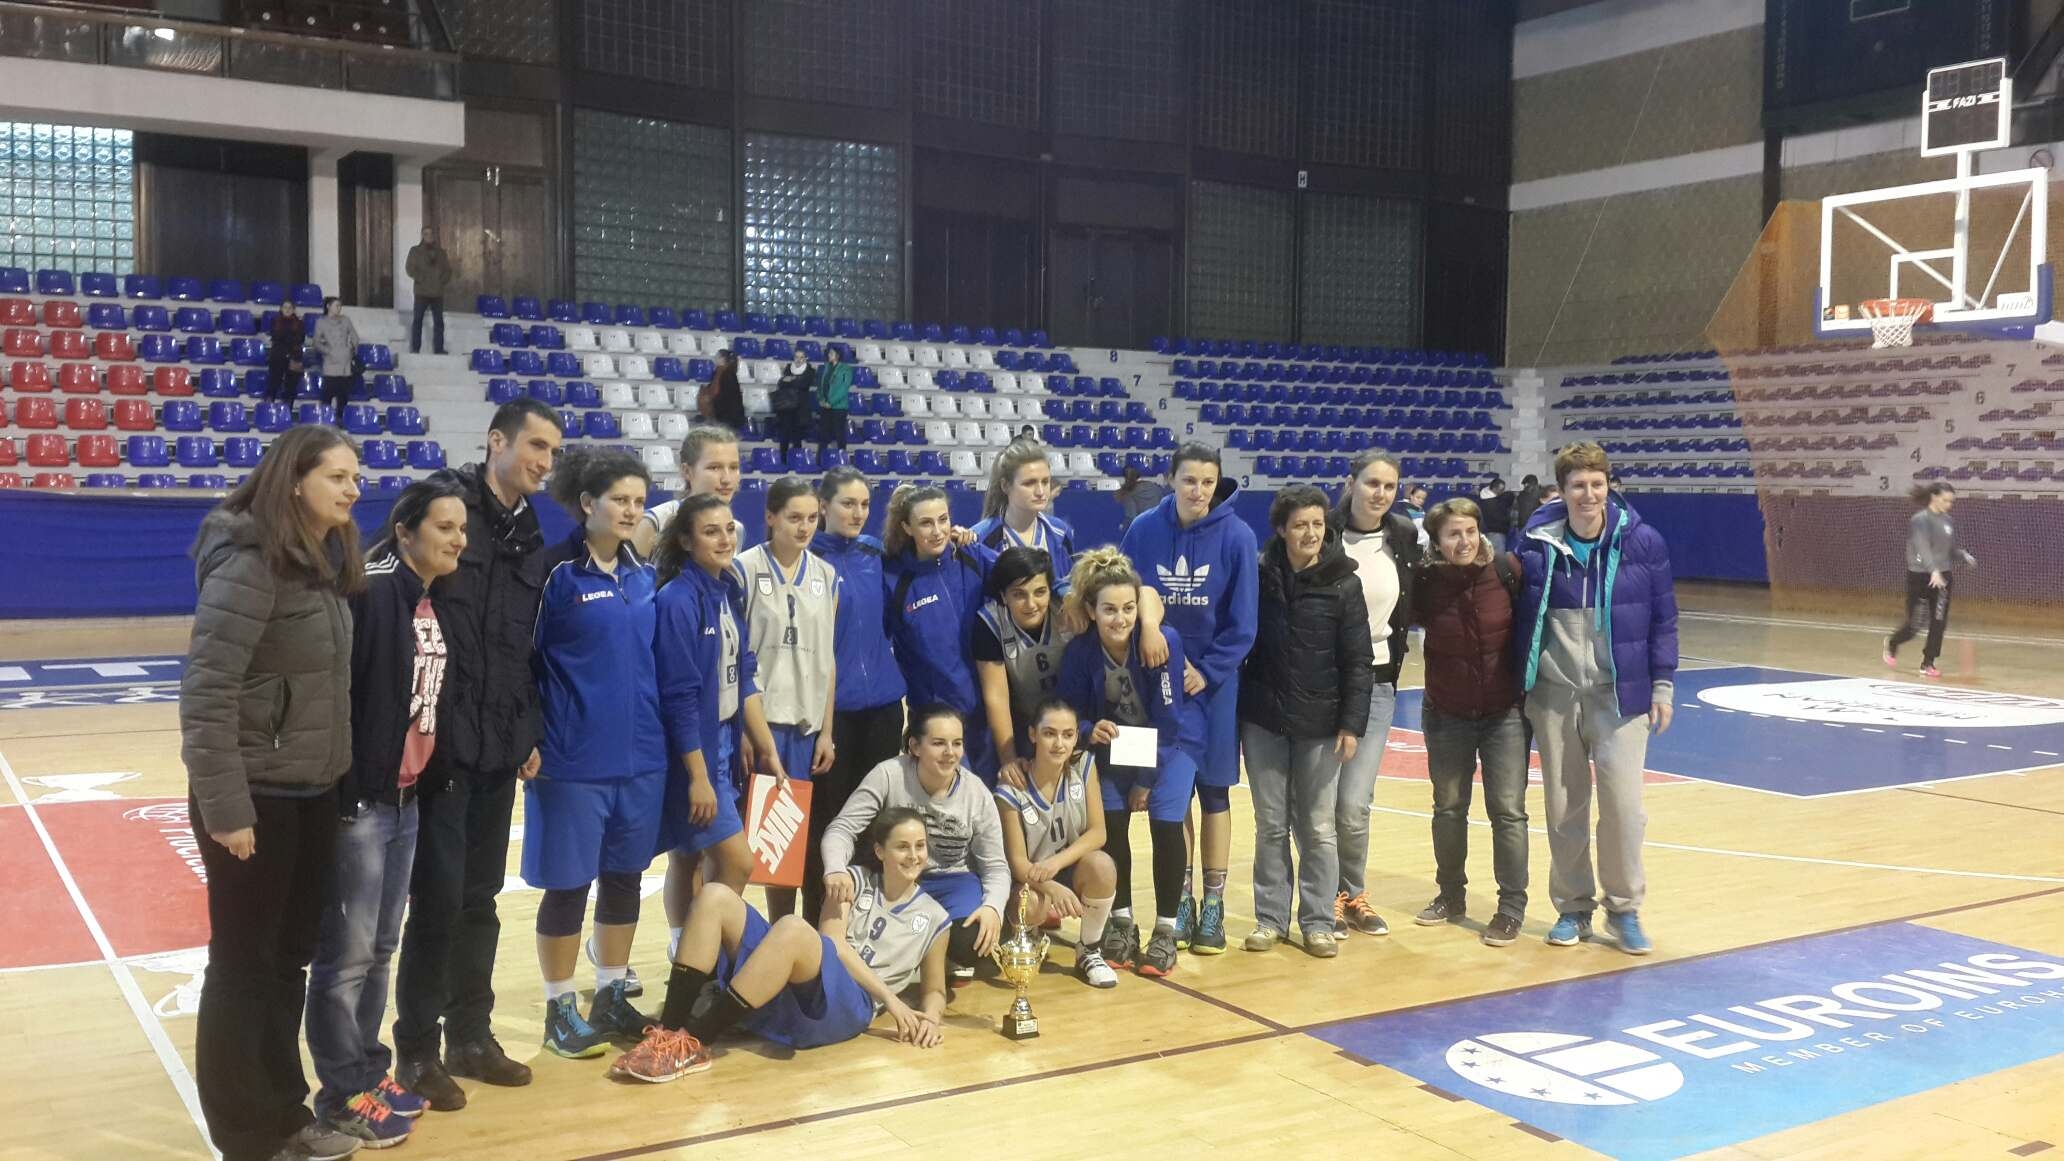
(488, 610)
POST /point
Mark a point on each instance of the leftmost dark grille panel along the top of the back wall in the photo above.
(659, 40)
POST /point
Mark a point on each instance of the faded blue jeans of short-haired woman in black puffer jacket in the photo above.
(1295, 788)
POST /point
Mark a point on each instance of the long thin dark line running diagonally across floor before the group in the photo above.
(1268, 1034)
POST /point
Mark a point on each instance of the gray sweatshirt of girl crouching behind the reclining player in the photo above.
(961, 825)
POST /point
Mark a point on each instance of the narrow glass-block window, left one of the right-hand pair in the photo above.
(1241, 245)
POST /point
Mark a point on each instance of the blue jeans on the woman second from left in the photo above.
(360, 929)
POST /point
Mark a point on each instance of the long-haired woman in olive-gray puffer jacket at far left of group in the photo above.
(265, 720)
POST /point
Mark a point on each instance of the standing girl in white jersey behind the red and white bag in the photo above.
(792, 606)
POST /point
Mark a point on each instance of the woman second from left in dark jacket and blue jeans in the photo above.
(397, 687)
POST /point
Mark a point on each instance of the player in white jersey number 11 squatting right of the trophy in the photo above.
(1054, 838)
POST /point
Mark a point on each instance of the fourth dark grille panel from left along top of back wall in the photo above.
(1118, 69)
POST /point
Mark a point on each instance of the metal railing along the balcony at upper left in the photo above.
(146, 40)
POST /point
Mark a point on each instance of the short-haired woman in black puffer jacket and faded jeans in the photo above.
(1303, 714)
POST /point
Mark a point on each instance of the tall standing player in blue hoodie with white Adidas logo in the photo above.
(1200, 557)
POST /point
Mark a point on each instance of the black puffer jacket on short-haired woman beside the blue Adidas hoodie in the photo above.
(1310, 672)
